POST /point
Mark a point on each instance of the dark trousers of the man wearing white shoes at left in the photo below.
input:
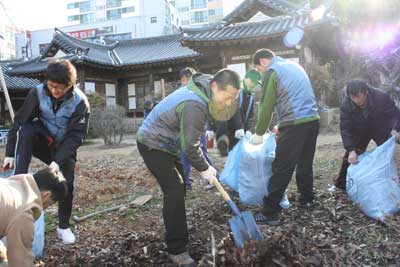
(33, 141)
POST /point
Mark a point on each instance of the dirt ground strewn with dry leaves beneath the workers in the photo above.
(333, 233)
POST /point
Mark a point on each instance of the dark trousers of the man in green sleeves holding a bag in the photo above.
(295, 149)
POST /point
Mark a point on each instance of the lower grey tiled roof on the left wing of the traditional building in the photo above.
(122, 54)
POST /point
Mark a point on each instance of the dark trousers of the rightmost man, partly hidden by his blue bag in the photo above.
(361, 146)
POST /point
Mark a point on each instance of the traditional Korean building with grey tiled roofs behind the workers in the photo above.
(128, 71)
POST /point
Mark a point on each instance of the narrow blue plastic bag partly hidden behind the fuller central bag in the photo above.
(230, 174)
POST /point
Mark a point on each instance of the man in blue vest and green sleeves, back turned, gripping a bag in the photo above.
(287, 88)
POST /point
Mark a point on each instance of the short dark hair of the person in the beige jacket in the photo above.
(49, 180)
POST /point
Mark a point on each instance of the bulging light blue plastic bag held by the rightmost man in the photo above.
(373, 183)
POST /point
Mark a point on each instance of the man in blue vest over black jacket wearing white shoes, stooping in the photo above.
(51, 125)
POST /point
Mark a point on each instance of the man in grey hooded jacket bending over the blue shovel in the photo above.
(175, 125)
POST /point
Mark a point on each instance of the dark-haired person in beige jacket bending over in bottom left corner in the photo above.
(22, 199)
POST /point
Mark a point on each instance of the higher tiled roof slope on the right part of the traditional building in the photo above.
(278, 25)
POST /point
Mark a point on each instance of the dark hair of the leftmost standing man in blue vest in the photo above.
(61, 71)
